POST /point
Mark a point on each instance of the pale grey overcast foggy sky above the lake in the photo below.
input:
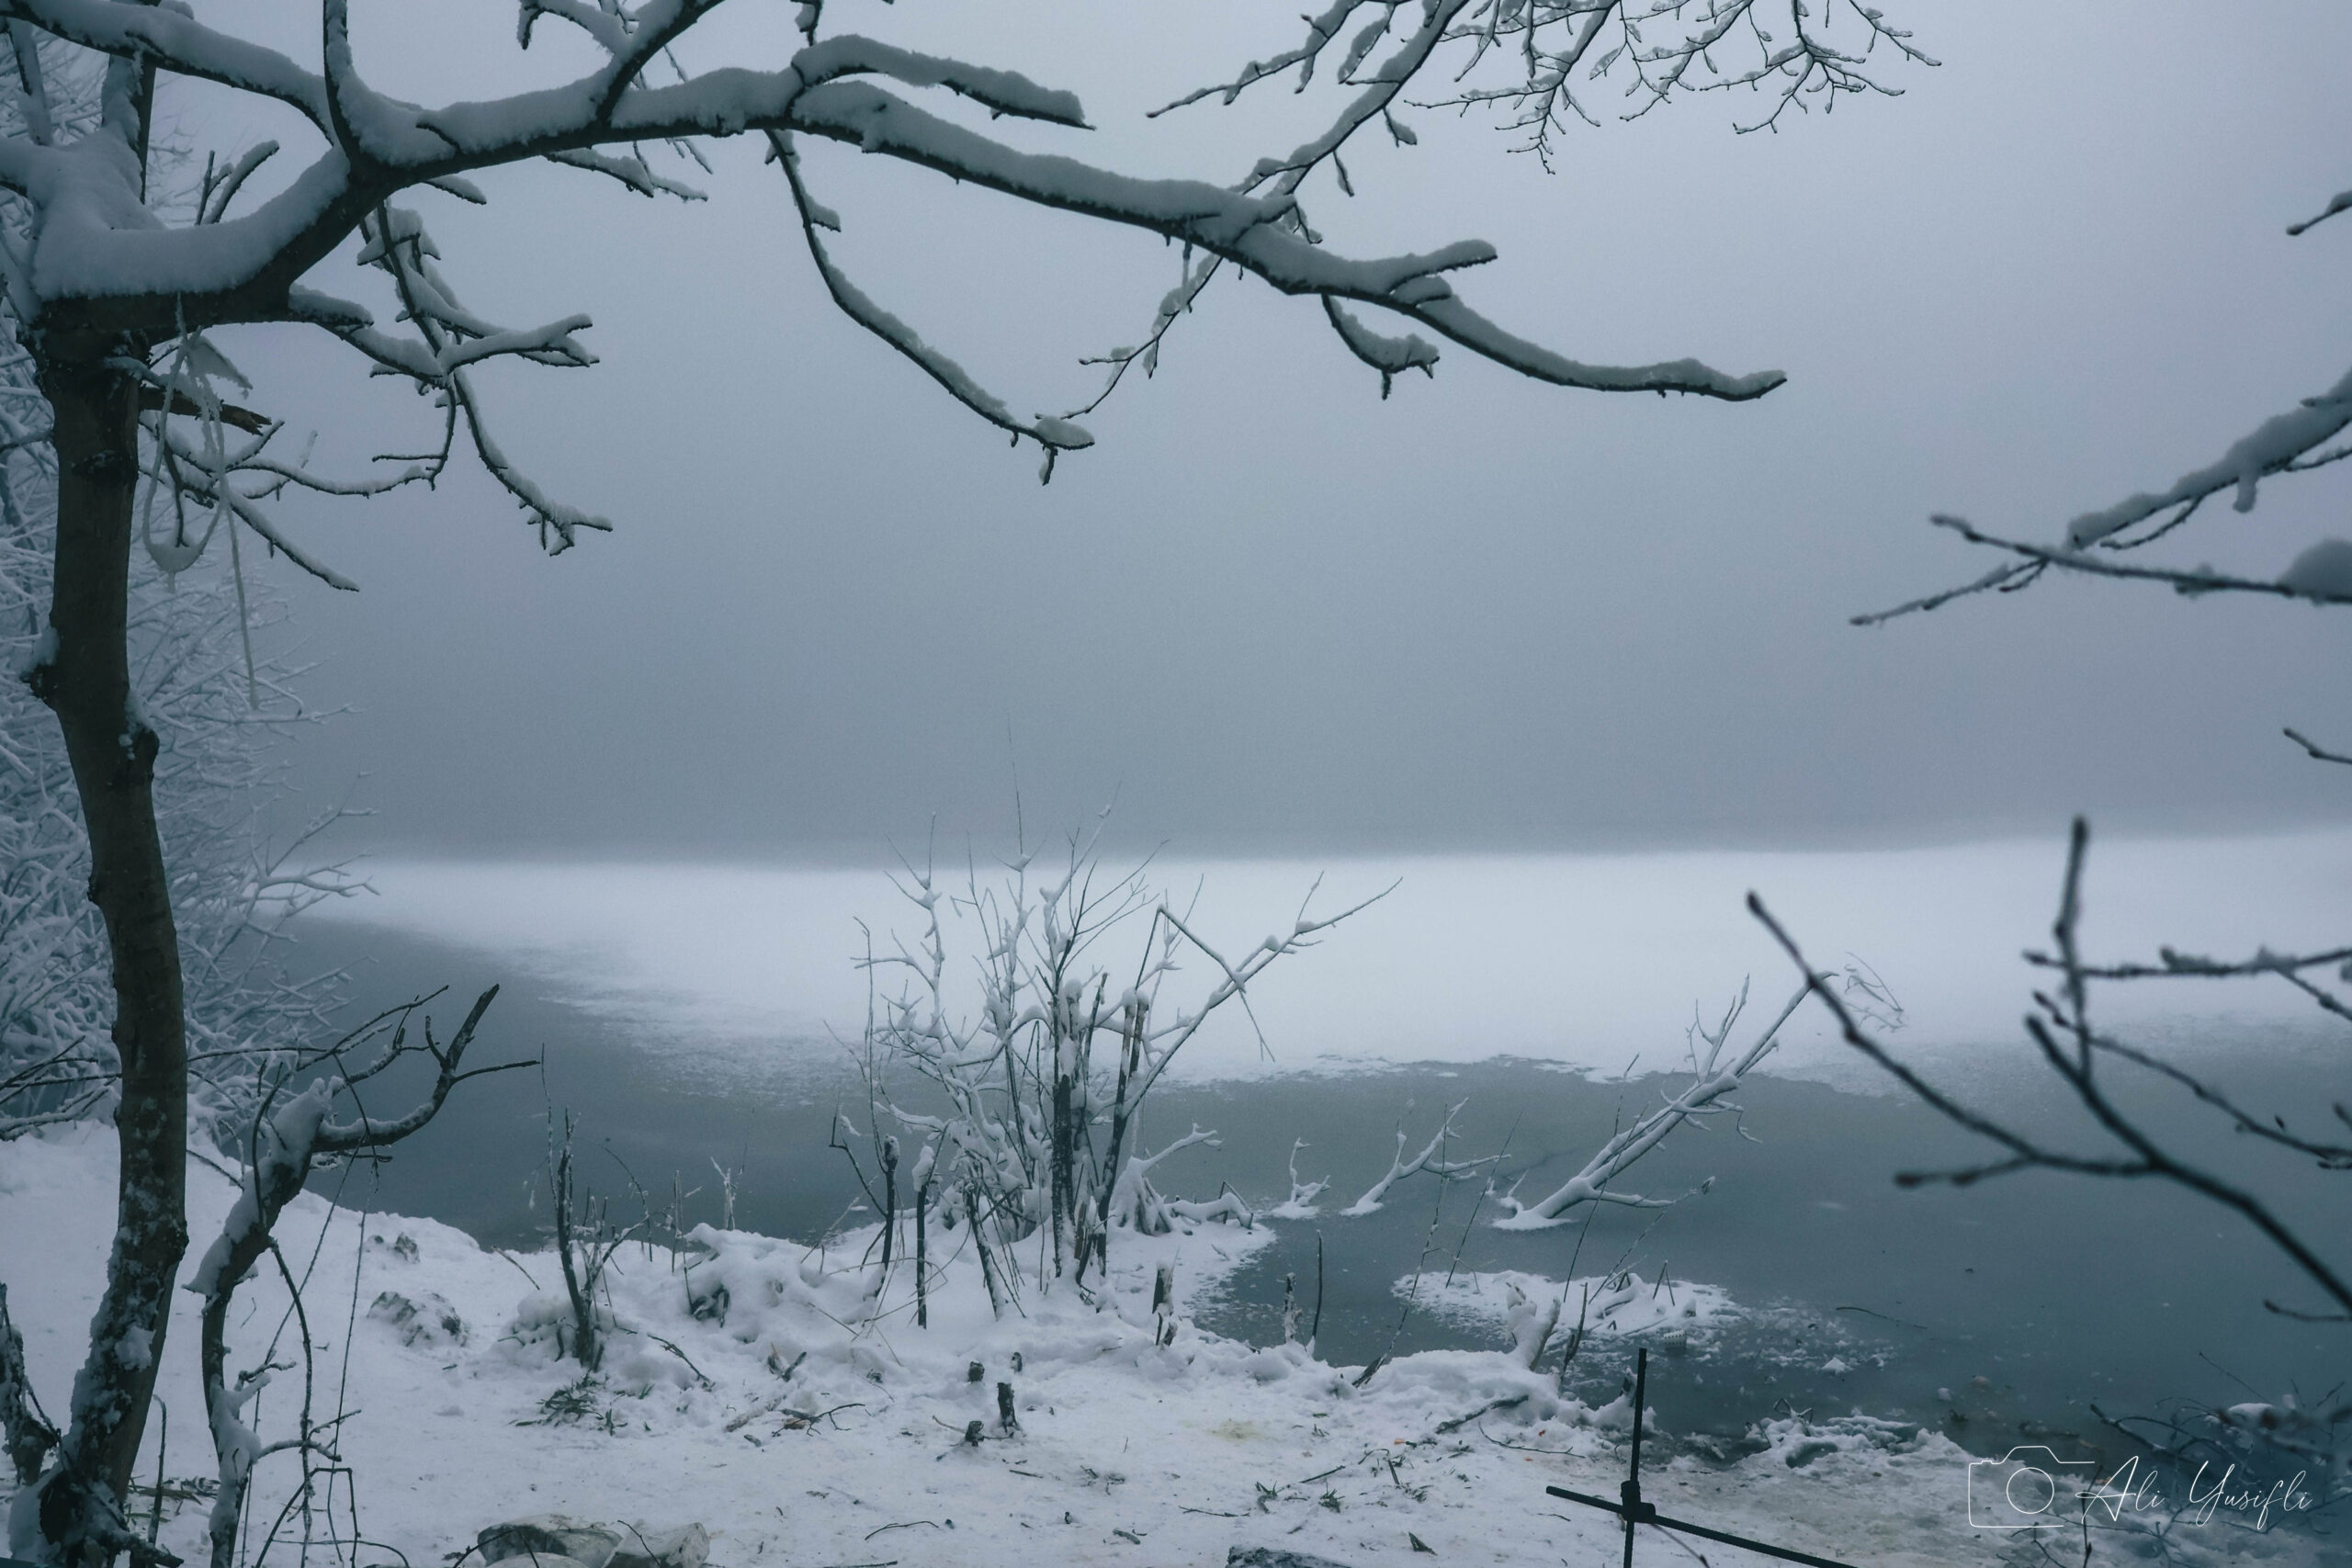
(1276, 612)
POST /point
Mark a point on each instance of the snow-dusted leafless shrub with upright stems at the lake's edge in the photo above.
(1027, 1106)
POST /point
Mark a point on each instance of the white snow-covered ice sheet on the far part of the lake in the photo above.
(1584, 960)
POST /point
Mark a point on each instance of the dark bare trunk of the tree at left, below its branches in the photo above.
(86, 681)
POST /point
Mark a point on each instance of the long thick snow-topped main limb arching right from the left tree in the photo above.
(392, 147)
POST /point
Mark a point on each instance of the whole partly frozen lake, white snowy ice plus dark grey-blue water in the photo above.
(686, 1017)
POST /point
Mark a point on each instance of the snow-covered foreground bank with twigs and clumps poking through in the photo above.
(803, 1428)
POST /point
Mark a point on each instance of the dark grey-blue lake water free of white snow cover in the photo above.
(2057, 1294)
